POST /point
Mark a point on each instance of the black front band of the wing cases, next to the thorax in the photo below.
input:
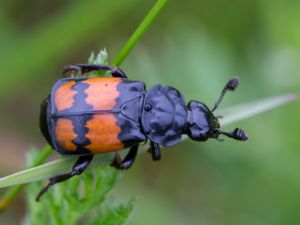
(129, 102)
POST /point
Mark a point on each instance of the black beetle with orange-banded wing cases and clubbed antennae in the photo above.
(86, 115)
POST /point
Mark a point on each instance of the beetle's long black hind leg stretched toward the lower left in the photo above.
(80, 165)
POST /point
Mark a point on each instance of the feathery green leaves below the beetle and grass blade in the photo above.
(81, 199)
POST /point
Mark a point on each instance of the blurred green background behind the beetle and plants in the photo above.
(195, 46)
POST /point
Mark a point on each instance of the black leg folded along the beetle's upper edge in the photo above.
(85, 68)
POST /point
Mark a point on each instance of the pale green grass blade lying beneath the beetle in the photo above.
(64, 164)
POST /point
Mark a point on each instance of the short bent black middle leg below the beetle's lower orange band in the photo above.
(127, 162)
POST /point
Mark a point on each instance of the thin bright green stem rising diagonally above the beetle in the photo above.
(137, 35)
